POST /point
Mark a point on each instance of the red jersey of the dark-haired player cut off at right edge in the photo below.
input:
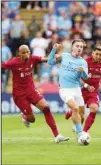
(94, 70)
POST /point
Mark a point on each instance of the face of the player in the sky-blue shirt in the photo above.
(77, 48)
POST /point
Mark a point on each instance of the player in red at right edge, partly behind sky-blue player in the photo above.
(90, 87)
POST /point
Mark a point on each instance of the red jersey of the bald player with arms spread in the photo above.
(22, 74)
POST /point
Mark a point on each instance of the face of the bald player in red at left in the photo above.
(24, 54)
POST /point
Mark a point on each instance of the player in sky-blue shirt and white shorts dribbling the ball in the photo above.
(72, 68)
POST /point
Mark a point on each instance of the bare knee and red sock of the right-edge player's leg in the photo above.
(91, 117)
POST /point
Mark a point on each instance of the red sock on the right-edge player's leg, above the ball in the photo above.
(89, 121)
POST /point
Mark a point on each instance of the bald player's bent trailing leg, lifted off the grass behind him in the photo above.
(26, 110)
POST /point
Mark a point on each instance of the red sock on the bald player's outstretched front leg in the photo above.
(50, 120)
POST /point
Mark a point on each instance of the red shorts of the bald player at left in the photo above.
(24, 102)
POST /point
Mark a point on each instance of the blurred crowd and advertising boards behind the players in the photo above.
(40, 24)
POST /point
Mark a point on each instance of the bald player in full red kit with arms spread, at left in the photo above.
(25, 92)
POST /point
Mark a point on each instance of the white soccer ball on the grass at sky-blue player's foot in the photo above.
(84, 139)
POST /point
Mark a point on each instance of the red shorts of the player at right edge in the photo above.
(90, 97)
